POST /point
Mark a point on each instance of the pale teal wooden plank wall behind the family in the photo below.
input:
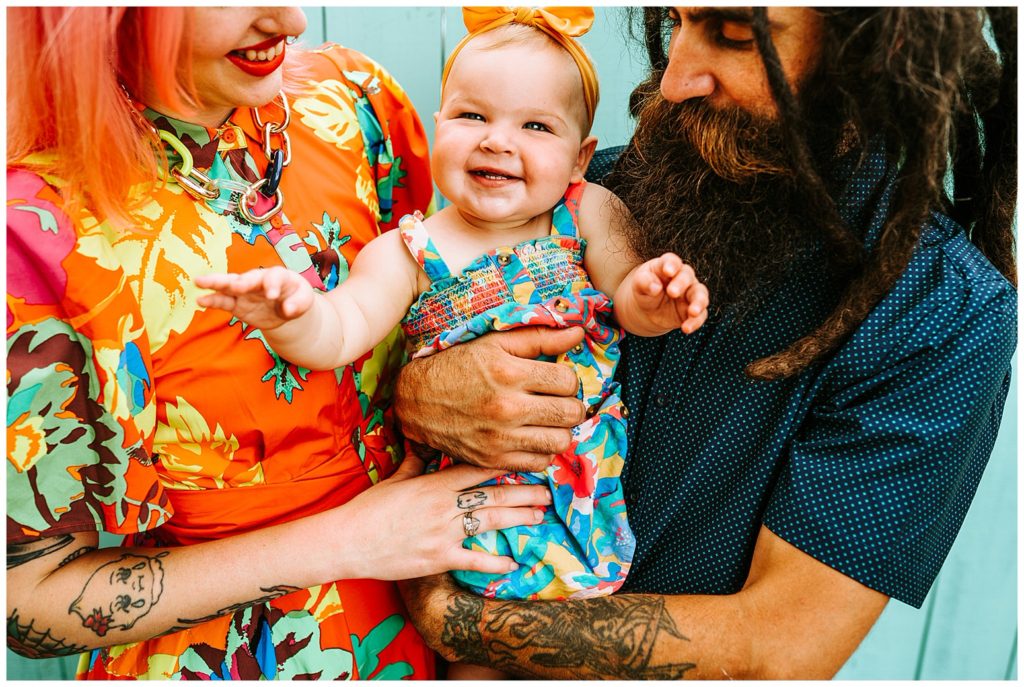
(967, 629)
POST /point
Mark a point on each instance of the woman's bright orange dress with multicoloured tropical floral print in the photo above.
(134, 411)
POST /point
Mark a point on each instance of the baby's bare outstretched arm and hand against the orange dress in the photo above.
(322, 331)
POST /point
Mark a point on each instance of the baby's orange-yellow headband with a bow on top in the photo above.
(562, 24)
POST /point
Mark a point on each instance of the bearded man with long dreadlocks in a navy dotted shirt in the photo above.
(844, 183)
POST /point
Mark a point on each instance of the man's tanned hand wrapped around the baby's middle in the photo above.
(489, 403)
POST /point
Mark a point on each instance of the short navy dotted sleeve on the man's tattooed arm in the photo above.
(881, 476)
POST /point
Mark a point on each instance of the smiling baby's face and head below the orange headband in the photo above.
(510, 135)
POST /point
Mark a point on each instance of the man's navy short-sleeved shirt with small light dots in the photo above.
(868, 462)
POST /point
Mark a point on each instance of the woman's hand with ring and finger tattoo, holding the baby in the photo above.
(411, 526)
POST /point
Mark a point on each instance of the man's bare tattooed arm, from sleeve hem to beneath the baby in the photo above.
(795, 619)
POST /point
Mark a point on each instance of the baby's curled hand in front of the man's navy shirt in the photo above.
(668, 292)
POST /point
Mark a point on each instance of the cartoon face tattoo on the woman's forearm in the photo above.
(120, 592)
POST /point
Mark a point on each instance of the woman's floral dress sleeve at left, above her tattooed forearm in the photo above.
(80, 415)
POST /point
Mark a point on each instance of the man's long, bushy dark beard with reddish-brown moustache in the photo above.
(716, 188)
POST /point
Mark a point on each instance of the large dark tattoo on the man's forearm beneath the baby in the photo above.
(612, 637)
